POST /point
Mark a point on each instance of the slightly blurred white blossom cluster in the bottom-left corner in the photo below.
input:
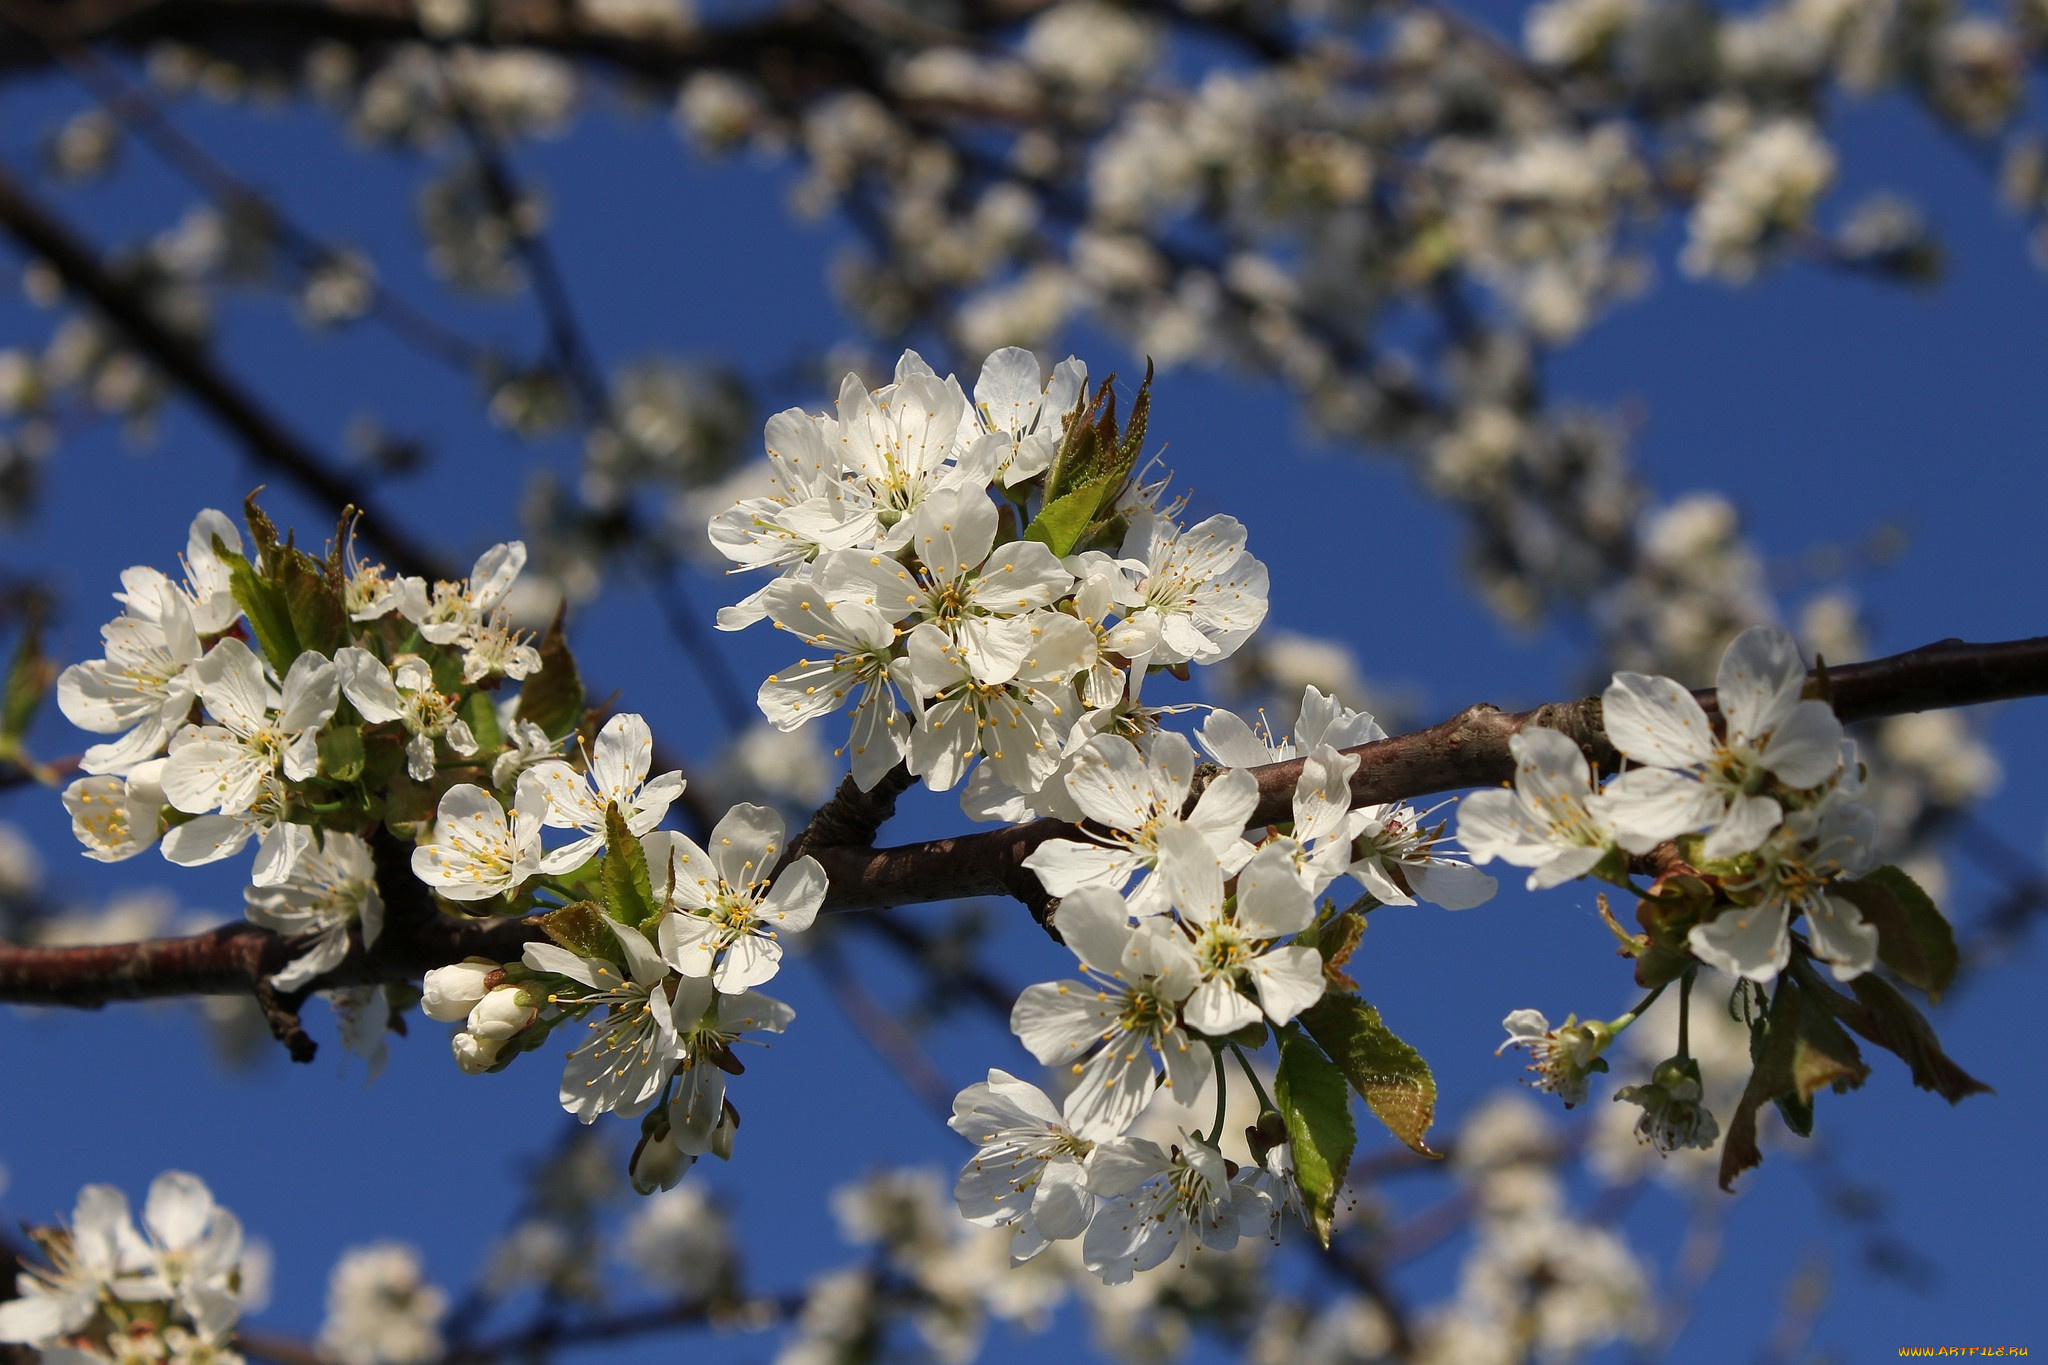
(112, 1294)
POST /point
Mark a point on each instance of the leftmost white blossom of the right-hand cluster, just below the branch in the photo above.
(1551, 822)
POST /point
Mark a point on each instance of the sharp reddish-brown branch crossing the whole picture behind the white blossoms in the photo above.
(1469, 750)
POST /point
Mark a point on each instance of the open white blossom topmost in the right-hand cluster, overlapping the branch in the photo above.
(1699, 781)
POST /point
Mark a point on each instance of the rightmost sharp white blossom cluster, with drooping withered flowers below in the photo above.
(1762, 824)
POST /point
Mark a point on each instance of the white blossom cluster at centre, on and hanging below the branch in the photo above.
(1193, 944)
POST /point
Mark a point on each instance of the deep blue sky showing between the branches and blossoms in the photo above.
(1826, 406)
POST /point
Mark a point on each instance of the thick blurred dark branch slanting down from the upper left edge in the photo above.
(261, 433)
